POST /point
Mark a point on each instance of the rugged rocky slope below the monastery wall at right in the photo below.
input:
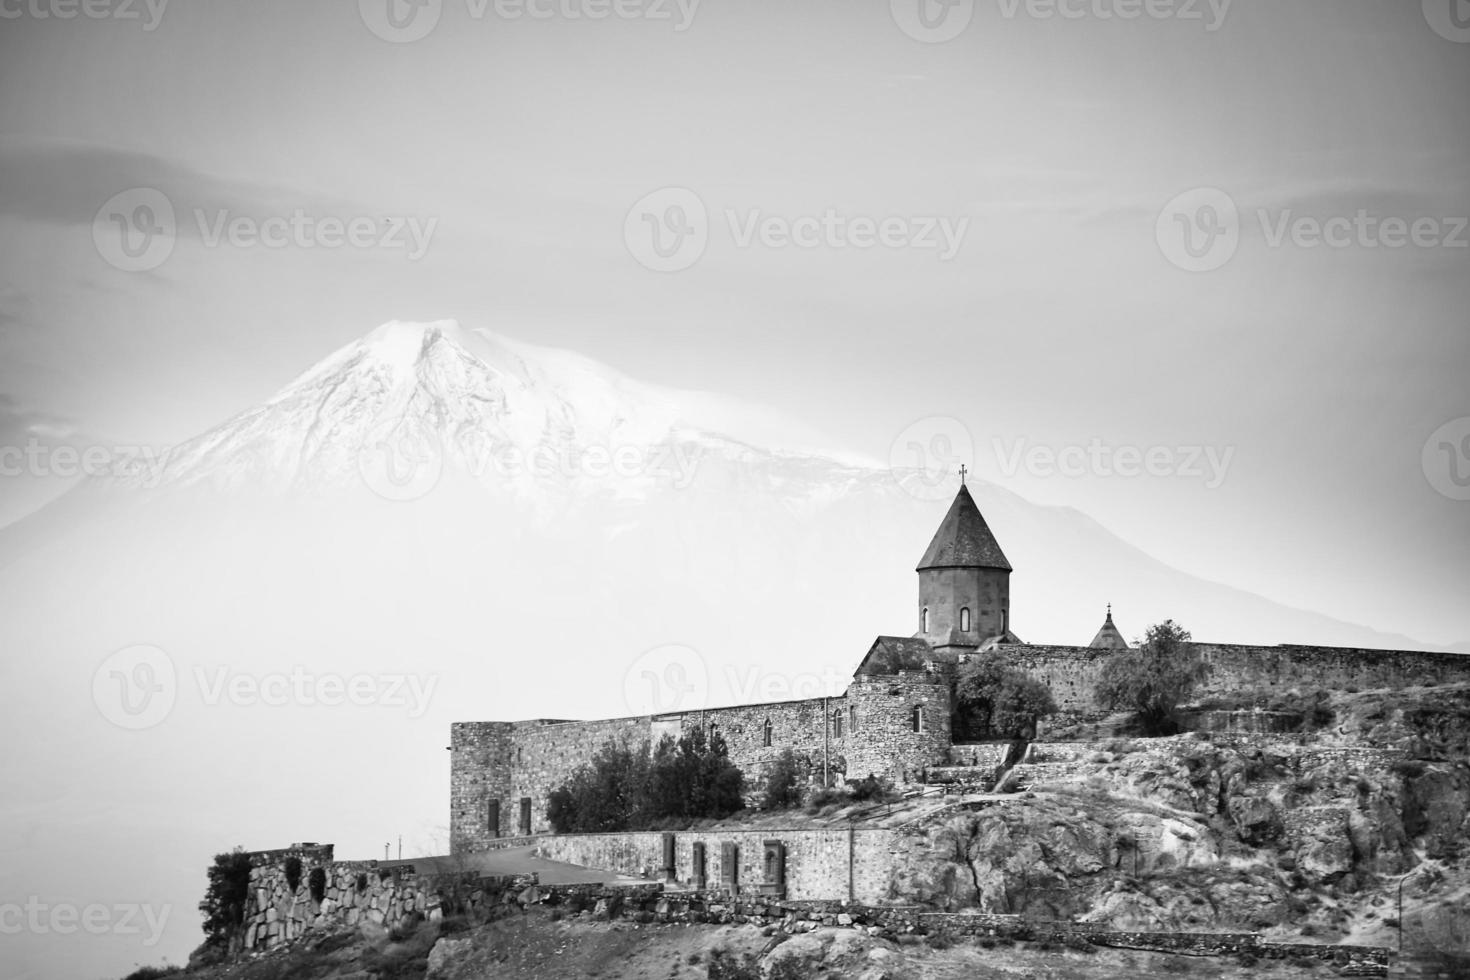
(1296, 835)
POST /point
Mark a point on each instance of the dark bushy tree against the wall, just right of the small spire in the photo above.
(1155, 680)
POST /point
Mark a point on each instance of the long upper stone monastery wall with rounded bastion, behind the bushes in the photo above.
(505, 772)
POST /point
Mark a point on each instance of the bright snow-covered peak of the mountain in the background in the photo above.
(420, 400)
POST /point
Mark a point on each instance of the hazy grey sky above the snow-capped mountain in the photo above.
(1053, 142)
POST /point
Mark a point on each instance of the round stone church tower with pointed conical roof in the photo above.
(965, 583)
